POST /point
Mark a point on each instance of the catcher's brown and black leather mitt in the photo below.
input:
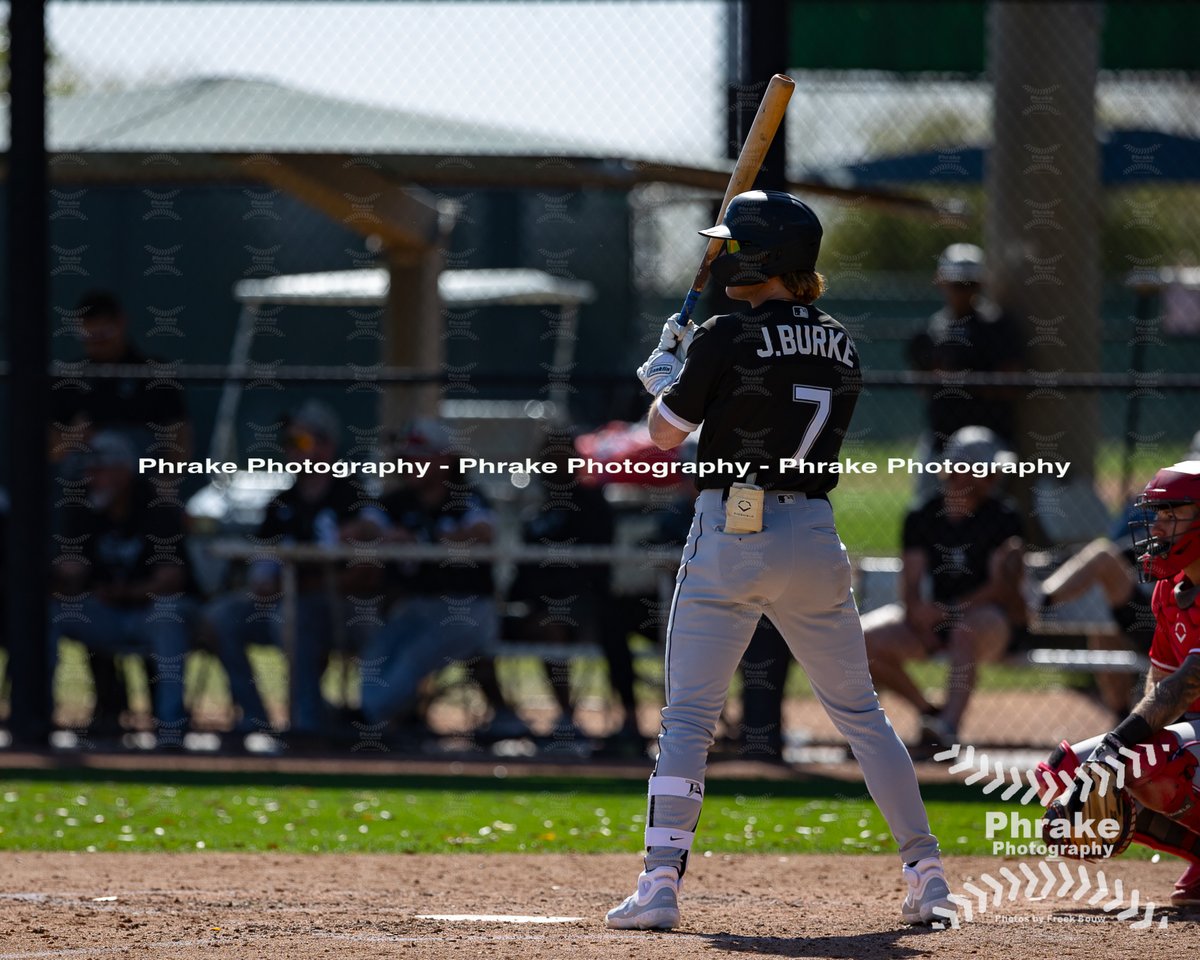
(1094, 820)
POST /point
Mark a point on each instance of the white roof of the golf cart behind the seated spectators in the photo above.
(463, 289)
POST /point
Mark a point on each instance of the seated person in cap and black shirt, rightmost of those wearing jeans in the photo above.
(445, 610)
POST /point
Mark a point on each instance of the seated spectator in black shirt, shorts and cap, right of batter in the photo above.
(968, 542)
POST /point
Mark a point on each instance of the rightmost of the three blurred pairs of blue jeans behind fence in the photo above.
(423, 635)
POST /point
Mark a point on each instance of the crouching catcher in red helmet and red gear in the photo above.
(1143, 775)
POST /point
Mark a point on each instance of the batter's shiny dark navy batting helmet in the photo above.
(767, 233)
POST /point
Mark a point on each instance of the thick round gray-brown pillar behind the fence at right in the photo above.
(1045, 212)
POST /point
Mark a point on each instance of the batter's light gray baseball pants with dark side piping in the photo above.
(795, 572)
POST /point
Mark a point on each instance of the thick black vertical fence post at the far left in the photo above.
(28, 578)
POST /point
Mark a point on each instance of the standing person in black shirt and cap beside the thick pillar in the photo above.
(969, 335)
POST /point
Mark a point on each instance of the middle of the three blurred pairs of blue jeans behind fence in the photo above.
(239, 620)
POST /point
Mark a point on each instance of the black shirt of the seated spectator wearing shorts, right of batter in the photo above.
(958, 549)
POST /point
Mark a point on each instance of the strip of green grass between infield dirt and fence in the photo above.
(443, 815)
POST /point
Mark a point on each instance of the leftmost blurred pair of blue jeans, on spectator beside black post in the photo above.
(160, 632)
